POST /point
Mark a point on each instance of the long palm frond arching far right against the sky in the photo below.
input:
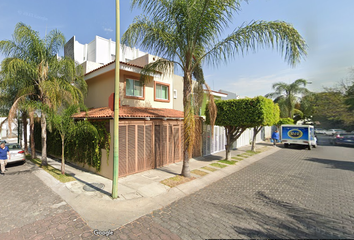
(260, 34)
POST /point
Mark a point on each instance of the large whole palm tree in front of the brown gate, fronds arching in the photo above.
(188, 33)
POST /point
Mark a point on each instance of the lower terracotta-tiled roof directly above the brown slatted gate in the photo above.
(131, 112)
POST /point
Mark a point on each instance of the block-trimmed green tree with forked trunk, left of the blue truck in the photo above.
(236, 115)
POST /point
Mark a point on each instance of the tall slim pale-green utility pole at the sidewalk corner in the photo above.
(116, 109)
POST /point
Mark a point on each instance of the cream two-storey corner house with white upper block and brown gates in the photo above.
(150, 128)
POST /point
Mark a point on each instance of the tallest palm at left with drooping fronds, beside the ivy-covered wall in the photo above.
(48, 81)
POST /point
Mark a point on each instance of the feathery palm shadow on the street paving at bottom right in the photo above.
(286, 221)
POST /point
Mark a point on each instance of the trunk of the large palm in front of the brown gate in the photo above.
(187, 123)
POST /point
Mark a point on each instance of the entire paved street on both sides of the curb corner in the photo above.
(294, 193)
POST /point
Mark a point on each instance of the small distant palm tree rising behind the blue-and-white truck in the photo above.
(285, 95)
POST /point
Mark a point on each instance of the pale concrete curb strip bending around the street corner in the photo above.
(105, 213)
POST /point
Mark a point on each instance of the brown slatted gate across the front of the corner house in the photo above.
(145, 145)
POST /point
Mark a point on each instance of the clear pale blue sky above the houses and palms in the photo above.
(326, 25)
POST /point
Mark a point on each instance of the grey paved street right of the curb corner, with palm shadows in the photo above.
(294, 193)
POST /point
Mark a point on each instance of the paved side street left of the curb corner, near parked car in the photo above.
(31, 210)
